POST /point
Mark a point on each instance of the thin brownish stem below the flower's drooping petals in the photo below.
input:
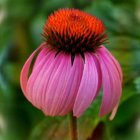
(73, 127)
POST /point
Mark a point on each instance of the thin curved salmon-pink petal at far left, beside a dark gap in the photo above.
(25, 69)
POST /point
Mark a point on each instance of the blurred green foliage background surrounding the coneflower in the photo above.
(21, 23)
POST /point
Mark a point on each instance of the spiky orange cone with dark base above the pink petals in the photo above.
(74, 31)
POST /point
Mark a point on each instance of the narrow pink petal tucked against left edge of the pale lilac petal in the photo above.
(73, 82)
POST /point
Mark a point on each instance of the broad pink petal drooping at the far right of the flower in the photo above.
(111, 82)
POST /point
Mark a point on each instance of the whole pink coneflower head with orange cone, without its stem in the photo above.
(66, 72)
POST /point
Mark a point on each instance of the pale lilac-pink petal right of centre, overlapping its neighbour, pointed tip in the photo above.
(89, 85)
